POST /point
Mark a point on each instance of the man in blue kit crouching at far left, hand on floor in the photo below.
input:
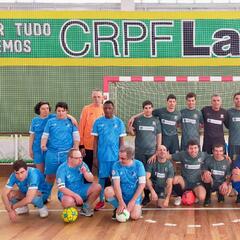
(31, 189)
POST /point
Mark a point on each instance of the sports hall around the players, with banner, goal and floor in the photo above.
(133, 50)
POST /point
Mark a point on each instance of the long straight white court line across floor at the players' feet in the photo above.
(150, 209)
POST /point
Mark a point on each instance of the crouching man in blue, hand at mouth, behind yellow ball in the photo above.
(72, 188)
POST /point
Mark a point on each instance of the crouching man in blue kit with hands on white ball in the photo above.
(129, 179)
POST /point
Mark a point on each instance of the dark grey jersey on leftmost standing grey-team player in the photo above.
(146, 130)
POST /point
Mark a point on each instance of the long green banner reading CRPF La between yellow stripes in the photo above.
(119, 38)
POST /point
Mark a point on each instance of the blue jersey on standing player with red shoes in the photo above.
(108, 131)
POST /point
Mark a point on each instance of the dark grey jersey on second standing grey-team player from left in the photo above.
(168, 120)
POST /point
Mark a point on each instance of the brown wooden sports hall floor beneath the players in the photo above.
(221, 221)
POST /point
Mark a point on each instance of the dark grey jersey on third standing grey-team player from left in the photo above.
(190, 122)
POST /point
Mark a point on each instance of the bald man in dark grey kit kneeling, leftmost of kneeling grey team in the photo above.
(160, 177)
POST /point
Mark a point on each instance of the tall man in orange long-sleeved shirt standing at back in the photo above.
(88, 116)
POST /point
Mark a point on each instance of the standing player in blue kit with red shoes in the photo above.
(108, 132)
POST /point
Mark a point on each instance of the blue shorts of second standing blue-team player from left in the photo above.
(53, 160)
